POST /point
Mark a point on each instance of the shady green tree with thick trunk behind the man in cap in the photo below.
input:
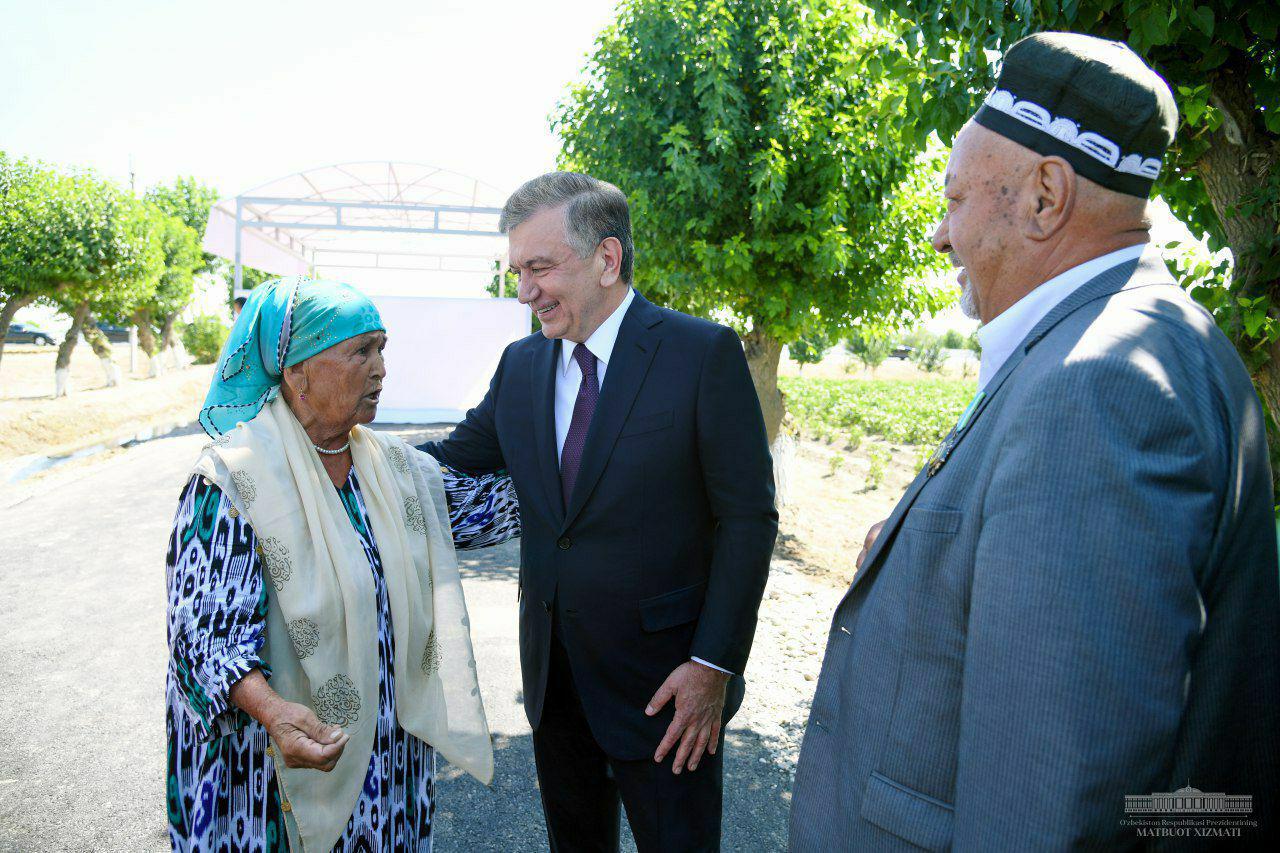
(1223, 175)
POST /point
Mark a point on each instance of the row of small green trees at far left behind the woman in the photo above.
(98, 253)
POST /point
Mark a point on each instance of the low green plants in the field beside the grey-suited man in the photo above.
(904, 413)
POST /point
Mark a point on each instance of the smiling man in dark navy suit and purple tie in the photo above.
(637, 446)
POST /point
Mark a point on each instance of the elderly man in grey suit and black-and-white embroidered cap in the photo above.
(1077, 599)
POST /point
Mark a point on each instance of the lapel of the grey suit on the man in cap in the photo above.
(1146, 271)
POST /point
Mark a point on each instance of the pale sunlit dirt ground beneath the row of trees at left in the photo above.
(33, 422)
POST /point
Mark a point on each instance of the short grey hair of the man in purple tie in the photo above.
(593, 211)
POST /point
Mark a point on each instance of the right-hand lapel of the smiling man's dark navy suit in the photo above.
(633, 354)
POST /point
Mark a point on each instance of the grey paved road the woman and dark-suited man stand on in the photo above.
(83, 663)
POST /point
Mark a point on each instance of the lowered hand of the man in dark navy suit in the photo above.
(700, 694)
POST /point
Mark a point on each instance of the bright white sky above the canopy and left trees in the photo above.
(239, 94)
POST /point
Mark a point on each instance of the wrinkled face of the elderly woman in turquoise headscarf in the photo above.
(341, 386)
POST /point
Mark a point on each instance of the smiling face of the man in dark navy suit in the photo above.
(564, 290)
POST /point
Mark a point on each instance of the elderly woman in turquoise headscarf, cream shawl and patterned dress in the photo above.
(318, 635)
